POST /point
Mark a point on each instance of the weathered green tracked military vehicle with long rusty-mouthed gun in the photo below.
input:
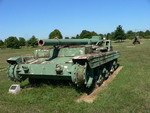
(82, 61)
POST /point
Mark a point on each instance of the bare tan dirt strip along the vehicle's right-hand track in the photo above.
(90, 98)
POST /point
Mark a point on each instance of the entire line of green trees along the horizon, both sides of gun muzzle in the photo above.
(118, 34)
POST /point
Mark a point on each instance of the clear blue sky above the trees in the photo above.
(25, 18)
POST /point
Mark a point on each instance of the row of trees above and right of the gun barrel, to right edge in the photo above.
(117, 34)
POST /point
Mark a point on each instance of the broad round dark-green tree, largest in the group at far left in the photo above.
(12, 42)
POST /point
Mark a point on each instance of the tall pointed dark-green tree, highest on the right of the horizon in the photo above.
(119, 33)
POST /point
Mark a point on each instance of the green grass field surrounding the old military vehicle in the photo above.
(128, 92)
